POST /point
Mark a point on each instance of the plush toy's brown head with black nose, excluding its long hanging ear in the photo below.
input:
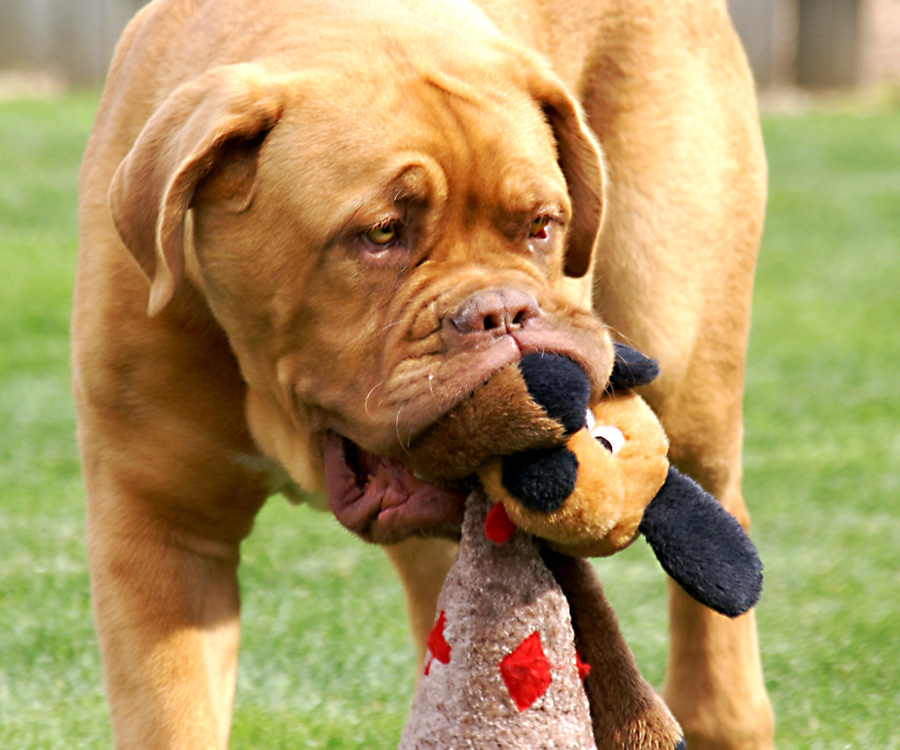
(526, 434)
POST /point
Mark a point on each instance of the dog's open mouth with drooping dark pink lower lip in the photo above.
(383, 501)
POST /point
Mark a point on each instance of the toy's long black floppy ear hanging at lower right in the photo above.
(702, 547)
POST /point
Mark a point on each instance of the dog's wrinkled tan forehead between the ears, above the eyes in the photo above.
(485, 140)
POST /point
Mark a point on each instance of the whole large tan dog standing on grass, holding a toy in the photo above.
(307, 230)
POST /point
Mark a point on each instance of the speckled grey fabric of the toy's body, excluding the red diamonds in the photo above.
(494, 598)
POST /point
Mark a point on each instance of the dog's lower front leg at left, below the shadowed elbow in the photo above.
(166, 606)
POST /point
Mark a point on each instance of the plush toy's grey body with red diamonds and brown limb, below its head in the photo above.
(526, 655)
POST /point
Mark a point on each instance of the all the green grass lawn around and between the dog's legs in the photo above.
(325, 660)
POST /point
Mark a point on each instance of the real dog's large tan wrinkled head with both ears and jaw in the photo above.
(376, 237)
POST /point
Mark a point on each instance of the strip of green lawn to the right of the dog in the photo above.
(823, 429)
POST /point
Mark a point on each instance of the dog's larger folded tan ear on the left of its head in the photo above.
(225, 112)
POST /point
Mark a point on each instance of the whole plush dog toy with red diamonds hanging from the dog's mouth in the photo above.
(526, 652)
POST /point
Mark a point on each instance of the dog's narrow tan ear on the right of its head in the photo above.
(581, 161)
